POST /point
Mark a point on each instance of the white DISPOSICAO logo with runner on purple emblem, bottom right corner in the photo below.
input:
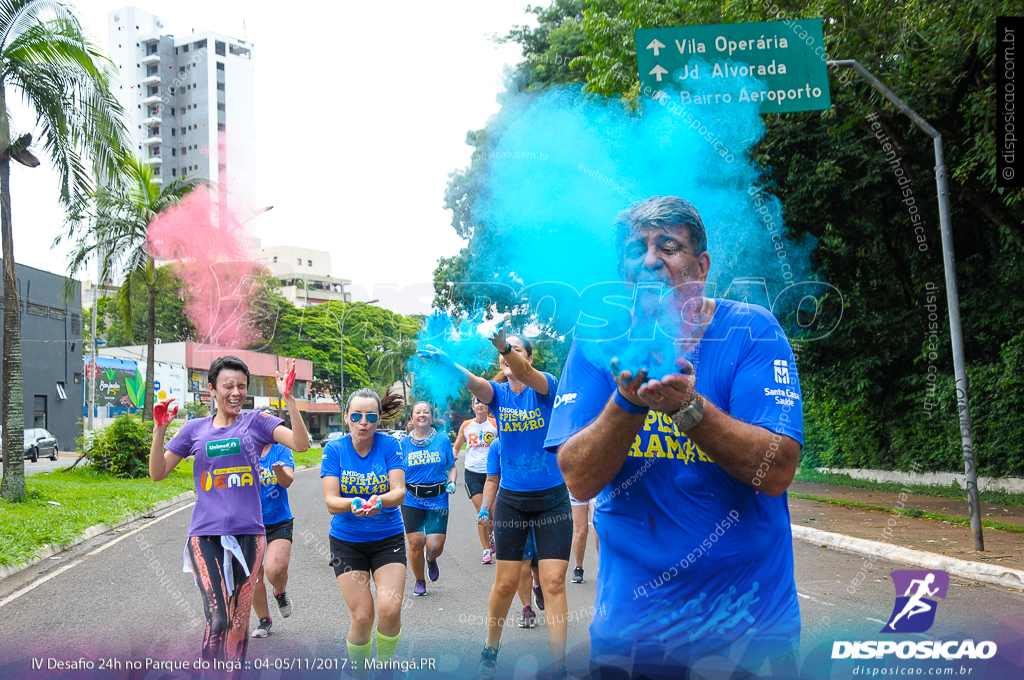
(915, 613)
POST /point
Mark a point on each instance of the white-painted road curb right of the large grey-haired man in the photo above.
(991, 574)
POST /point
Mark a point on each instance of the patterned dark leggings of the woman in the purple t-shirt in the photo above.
(227, 614)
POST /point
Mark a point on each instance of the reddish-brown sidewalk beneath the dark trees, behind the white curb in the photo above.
(1002, 548)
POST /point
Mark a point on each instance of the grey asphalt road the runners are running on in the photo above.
(107, 600)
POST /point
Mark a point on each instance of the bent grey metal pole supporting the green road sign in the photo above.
(953, 296)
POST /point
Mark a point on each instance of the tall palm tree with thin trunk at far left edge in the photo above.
(47, 59)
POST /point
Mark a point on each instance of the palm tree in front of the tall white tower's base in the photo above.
(115, 228)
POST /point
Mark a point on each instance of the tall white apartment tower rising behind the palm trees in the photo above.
(190, 103)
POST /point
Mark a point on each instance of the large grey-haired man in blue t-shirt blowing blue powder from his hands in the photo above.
(690, 471)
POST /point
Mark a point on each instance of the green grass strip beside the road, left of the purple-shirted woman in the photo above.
(87, 498)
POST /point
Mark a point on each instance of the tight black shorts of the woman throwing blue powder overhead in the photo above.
(547, 513)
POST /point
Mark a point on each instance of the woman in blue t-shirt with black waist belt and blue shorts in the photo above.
(431, 477)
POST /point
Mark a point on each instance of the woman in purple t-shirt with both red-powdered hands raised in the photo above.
(228, 521)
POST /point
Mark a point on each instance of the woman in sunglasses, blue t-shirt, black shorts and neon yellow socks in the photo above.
(364, 478)
